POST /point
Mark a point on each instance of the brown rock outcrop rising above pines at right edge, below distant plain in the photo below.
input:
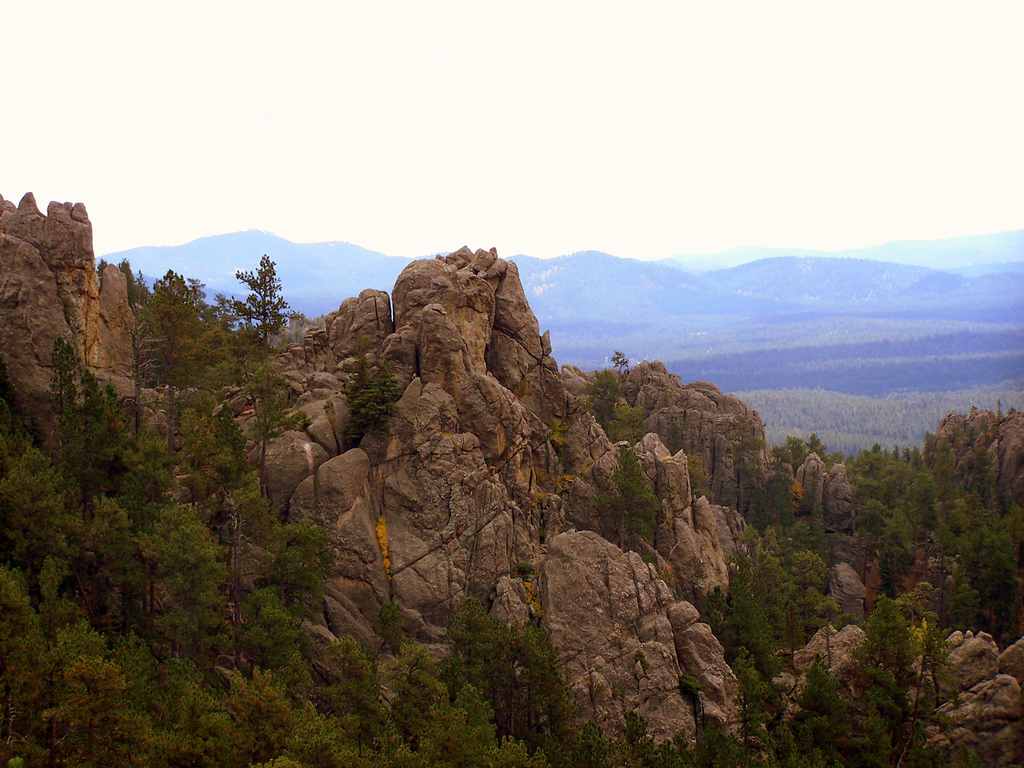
(984, 438)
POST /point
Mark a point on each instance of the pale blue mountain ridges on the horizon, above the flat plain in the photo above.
(599, 286)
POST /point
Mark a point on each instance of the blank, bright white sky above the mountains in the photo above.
(645, 130)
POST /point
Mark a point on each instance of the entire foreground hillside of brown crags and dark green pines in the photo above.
(412, 539)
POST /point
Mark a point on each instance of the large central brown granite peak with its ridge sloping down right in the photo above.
(484, 484)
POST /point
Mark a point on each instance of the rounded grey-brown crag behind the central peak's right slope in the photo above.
(728, 437)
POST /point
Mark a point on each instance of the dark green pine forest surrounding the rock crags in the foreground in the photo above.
(154, 607)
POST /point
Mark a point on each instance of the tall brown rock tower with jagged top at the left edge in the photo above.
(50, 289)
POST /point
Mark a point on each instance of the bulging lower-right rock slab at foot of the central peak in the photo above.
(626, 644)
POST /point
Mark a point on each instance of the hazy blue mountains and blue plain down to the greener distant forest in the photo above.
(854, 324)
